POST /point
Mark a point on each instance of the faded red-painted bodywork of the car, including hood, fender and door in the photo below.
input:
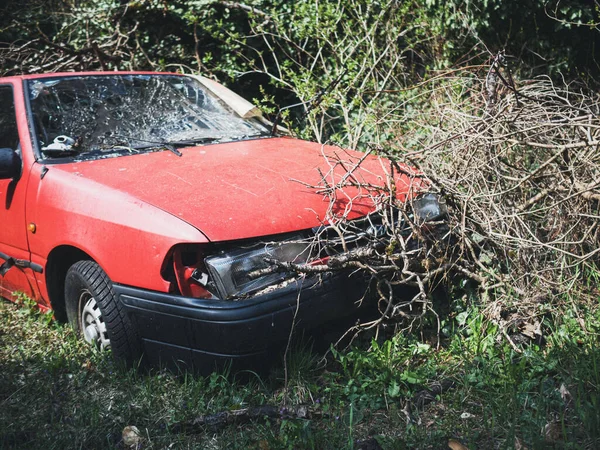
(128, 212)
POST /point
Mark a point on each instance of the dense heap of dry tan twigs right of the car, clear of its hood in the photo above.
(521, 169)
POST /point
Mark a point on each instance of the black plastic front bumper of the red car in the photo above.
(198, 333)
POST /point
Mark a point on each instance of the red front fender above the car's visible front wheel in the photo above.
(128, 238)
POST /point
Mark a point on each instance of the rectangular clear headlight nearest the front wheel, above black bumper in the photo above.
(231, 271)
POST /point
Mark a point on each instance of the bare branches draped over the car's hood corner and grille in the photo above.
(404, 243)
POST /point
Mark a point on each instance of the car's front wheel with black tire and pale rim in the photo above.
(94, 311)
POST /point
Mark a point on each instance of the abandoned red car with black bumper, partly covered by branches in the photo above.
(137, 206)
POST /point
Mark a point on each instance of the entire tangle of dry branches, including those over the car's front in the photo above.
(519, 169)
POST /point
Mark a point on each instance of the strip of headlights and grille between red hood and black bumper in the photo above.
(233, 272)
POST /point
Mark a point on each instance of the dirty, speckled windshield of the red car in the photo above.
(87, 117)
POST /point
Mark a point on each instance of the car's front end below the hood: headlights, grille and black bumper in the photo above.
(237, 301)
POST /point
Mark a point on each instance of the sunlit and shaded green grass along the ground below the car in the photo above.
(56, 393)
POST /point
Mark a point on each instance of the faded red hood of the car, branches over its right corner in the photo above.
(240, 189)
